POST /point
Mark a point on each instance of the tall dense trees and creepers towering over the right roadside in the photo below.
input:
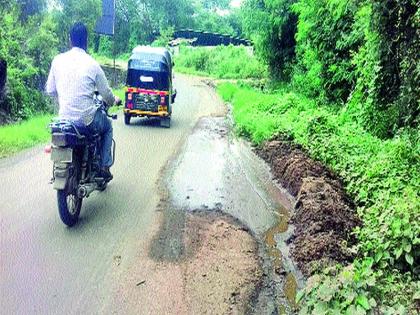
(360, 53)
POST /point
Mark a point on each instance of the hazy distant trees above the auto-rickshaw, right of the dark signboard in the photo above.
(142, 21)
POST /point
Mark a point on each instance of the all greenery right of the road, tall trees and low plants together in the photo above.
(349, 71)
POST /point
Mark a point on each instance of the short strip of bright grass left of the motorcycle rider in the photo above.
(23, 135)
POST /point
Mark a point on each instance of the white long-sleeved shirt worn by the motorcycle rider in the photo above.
(73, 78)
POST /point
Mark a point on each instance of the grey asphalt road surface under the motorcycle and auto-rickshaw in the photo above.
(47, 268)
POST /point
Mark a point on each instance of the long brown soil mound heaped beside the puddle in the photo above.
(324, 215)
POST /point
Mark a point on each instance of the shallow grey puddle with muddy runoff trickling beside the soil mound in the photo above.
(216, 171)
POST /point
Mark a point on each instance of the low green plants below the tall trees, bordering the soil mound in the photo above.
(382, 176)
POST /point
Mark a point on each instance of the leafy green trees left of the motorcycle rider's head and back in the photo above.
(28, 60)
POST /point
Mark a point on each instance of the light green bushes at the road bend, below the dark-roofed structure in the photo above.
(223, 62)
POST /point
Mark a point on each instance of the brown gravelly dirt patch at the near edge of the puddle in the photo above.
(224, 272)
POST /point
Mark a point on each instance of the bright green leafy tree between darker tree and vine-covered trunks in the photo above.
(326, 41)
